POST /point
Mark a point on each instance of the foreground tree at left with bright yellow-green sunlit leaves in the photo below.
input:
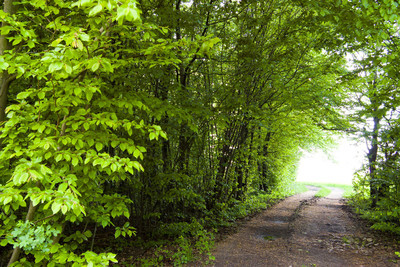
(70, 131)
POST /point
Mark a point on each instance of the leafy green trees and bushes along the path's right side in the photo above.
(374, 90)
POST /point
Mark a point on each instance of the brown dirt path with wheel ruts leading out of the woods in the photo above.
(304, 231)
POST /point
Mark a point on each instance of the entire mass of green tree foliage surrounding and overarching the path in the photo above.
(161, 120)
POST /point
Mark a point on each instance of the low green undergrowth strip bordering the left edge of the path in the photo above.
(196, 238)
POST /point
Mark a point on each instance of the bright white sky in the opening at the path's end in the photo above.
(337, 168)
